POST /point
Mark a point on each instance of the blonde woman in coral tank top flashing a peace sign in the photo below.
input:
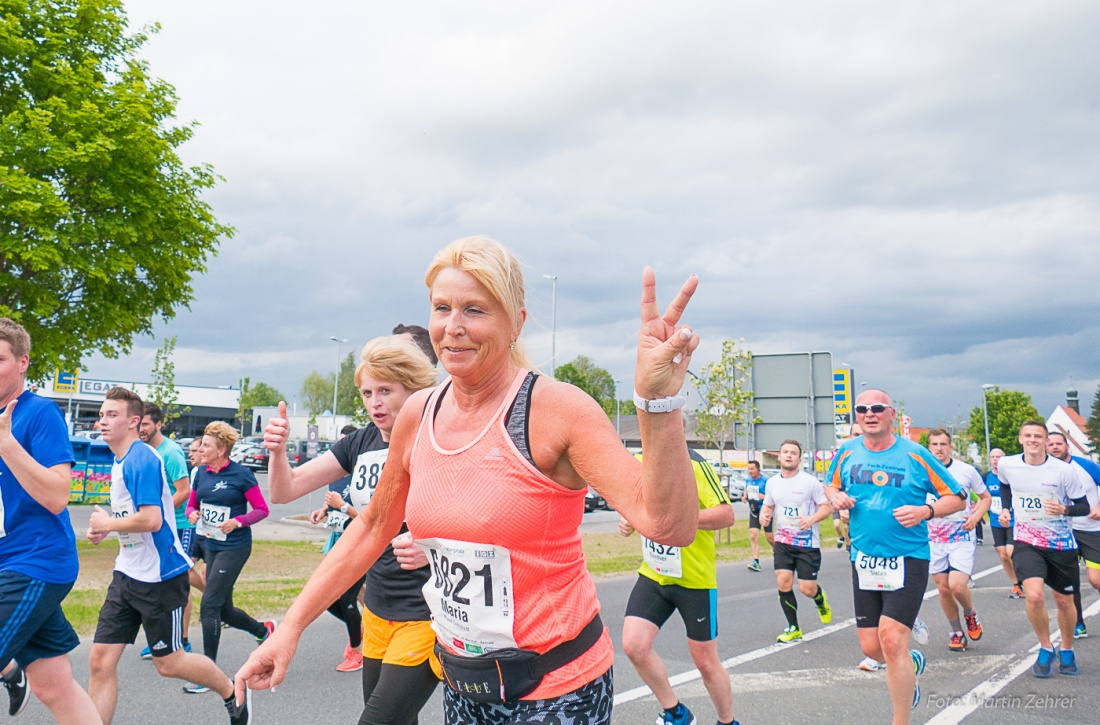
(490, 470)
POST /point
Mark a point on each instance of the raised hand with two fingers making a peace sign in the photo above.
(665, 347)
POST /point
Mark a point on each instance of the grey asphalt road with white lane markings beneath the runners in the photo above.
(815, 682)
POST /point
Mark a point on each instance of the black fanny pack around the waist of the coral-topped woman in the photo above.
(511, 674)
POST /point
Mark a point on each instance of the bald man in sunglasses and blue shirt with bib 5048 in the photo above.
(884, 481)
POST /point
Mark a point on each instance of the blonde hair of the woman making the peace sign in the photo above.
(496, 268)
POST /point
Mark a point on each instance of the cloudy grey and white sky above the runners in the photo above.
(911, 186)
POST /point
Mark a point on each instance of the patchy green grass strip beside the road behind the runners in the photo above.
(278, 570)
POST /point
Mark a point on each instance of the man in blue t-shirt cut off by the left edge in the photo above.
(38, 550)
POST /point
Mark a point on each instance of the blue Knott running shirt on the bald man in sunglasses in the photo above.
(882, 481)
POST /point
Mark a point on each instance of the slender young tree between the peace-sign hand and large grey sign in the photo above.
(727, 398)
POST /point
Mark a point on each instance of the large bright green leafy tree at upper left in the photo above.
(102, 225)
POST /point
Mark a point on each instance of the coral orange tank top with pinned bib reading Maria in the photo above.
(504, 544)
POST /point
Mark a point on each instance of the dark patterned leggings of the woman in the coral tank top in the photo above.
(590, 705)
